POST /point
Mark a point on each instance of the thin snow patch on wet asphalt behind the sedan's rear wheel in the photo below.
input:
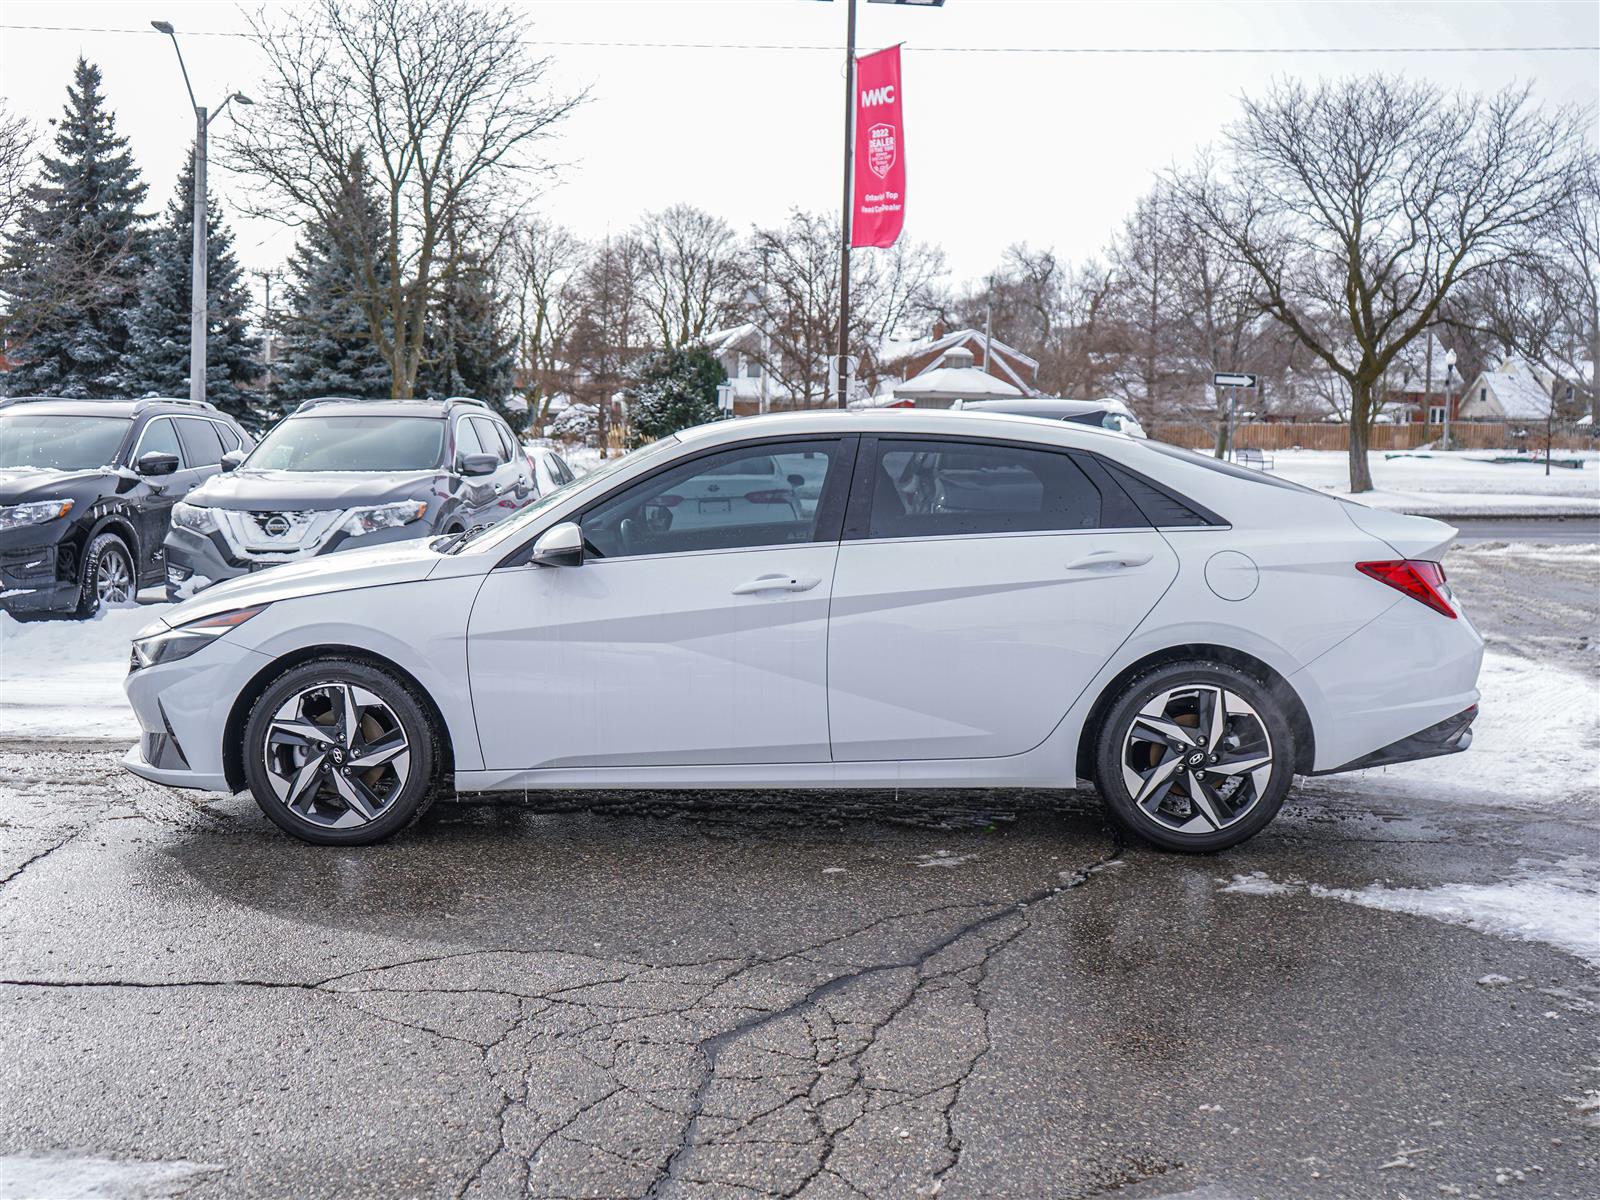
(1553, 903)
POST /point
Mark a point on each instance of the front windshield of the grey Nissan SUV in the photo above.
(353, 444)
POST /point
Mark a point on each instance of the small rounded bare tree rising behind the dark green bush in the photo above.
(692, 268)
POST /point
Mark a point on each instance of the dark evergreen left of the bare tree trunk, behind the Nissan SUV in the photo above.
(327, 345)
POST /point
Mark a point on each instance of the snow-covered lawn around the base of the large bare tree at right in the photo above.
(1460, 484)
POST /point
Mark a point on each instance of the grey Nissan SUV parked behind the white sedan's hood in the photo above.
(340, 474)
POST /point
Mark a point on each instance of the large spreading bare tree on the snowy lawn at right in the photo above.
(1361, 206)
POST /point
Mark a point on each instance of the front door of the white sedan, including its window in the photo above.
(694, 634)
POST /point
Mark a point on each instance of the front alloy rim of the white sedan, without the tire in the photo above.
(337, 756)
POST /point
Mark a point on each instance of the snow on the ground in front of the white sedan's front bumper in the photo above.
(63, 679)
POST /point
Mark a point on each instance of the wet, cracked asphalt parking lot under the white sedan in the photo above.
(809, 994)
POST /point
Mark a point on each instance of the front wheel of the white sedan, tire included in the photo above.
(300, 754)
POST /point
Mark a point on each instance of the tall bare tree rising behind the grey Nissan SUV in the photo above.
(444, 103)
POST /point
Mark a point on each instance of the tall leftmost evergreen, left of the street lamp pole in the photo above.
(73, 265)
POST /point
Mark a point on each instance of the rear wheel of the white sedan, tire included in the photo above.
(1201, 791)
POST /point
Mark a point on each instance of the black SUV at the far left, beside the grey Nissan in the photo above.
(87, 489)
